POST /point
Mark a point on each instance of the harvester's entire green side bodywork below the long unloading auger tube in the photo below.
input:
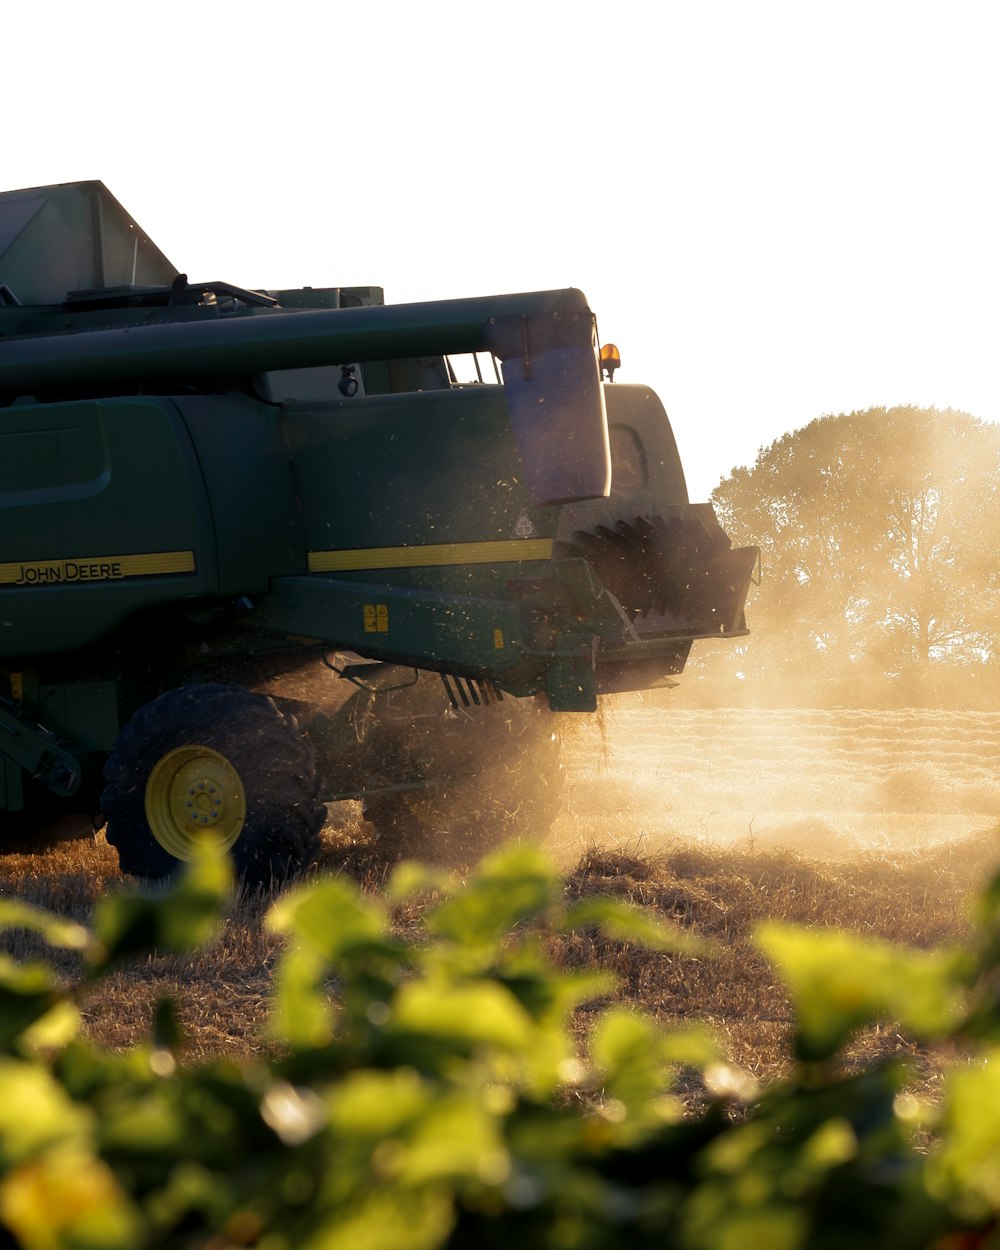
(252, 489)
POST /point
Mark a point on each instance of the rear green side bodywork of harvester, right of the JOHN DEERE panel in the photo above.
(528, 624)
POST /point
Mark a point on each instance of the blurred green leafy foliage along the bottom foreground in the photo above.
(432, 1092)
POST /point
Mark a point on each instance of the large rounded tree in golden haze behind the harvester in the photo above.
(881, 543)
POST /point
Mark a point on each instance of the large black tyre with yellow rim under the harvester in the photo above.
(218, 764)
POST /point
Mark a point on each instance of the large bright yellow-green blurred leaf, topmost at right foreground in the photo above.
(842, 982)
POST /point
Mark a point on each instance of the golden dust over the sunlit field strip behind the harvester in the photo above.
(828, 784)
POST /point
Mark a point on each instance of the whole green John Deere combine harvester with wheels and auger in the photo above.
(262, 551)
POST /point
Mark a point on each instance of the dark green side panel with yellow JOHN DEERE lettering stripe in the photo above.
(82, 487)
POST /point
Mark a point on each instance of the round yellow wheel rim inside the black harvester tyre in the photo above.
(196, 798)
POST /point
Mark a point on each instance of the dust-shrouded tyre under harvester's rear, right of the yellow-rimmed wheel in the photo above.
(479, 777)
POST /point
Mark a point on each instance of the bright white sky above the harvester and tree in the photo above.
(777, 209)
